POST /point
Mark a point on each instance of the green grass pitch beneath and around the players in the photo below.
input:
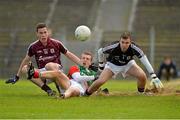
(26, 101)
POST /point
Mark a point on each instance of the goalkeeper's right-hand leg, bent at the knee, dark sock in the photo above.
(138, 73)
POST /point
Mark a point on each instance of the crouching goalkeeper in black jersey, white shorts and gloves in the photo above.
(120, 60)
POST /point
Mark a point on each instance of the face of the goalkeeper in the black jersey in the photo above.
(125, 43)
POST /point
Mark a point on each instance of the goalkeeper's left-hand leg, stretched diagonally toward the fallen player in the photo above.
(104, 76)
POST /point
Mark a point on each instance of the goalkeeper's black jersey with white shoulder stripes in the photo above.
(117, 57)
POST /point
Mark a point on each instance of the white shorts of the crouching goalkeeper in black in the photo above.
(119, 69)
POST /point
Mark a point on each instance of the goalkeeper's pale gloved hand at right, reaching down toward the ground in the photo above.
(156, 81)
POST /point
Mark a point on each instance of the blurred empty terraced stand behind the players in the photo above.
(155, 25)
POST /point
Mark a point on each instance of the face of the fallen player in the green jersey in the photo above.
(86, 60)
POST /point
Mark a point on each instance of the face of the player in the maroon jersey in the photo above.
(43, 34)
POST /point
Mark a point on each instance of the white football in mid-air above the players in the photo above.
(82, 33)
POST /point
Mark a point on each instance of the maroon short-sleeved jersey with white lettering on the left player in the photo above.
(45, 54)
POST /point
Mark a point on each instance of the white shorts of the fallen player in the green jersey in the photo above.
(74, 84)
